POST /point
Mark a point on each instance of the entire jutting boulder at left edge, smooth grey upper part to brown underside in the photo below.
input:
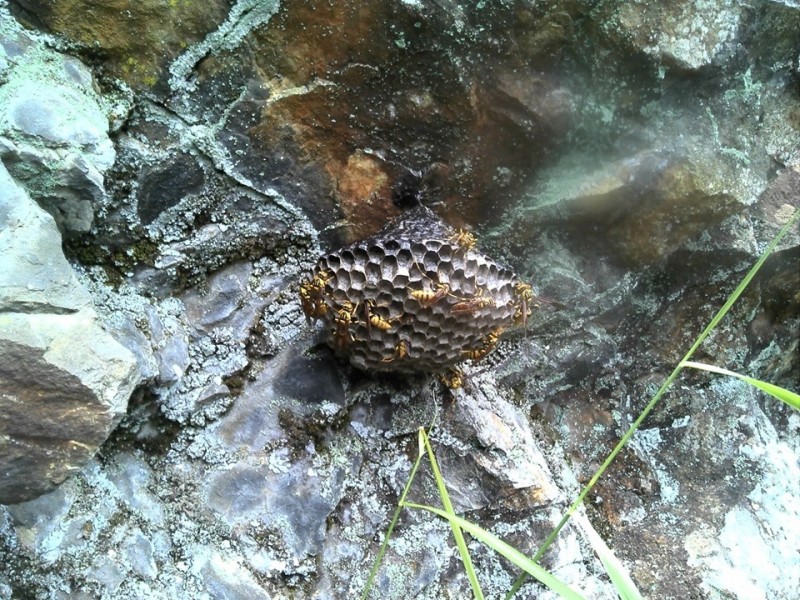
(65, 380)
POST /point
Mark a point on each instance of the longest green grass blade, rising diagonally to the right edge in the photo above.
(654, 400)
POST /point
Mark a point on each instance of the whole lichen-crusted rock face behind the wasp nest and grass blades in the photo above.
(631, 159)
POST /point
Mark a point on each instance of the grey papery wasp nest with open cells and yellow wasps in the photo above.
(416, 297)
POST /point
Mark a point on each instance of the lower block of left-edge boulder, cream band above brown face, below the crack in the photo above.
(67, 383)
